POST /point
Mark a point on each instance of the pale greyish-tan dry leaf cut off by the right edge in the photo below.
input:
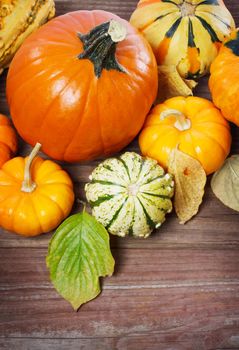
(225, 183)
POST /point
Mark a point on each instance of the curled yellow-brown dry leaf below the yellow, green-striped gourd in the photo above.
(171, 84)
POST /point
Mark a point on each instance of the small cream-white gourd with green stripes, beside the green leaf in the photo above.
(130, 194)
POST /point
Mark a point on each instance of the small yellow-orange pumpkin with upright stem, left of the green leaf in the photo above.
(35, 195)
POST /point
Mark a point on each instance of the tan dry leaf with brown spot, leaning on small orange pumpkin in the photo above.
(190, 180)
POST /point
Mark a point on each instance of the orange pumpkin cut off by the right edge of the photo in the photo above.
(224, 79)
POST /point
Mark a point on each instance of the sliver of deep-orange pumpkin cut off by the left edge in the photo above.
(8, 140)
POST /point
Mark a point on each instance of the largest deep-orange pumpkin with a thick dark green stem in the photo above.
(82, 85)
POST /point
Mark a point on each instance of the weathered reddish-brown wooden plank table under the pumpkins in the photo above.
(179, 289)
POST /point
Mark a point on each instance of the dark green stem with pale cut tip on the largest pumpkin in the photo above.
(100, 46)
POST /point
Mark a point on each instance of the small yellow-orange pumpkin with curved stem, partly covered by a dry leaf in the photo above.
(193, 124)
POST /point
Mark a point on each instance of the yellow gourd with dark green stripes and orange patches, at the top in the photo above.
(185, 34)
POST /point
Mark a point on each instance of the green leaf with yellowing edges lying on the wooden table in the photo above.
(78, 254)
